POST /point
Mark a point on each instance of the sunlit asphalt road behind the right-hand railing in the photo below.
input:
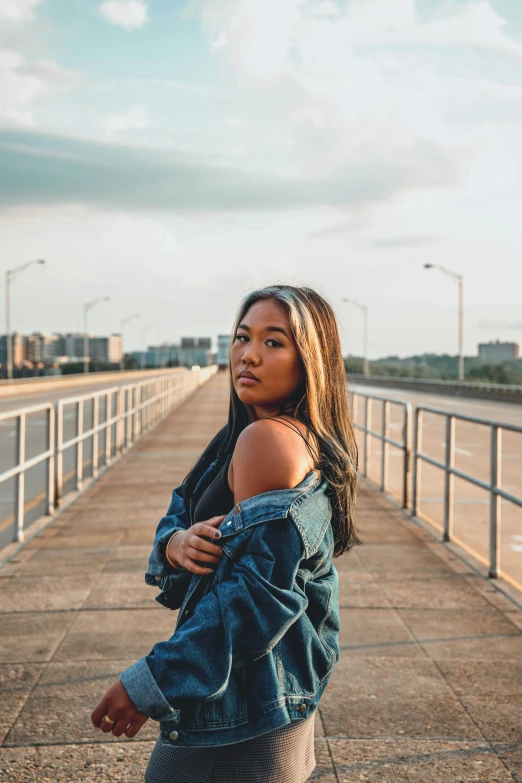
(472, 456)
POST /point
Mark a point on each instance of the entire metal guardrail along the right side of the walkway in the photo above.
(413, 456)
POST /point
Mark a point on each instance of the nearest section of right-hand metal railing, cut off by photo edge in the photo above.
(493, 487)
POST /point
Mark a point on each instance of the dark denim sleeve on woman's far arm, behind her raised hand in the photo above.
(173, 582)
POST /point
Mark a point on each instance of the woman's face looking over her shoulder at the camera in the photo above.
(264, 349)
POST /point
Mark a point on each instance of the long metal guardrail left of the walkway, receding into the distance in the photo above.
(129, 412)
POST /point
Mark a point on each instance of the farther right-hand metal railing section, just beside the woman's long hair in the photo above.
(384, 437)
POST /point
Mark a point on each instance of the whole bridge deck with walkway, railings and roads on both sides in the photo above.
(429, 684)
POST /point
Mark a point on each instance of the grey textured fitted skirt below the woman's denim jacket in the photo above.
(284, 755)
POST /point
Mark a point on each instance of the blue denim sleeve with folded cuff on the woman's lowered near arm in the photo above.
(239, 620)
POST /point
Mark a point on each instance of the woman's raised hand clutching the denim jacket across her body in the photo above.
(188, 547)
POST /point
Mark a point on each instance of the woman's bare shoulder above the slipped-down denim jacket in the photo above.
(268, 455)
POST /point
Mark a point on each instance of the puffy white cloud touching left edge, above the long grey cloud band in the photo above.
(21, 82)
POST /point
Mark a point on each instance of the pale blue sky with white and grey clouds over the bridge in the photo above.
(175, 155)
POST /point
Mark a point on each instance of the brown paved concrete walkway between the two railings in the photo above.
(428, 688)
